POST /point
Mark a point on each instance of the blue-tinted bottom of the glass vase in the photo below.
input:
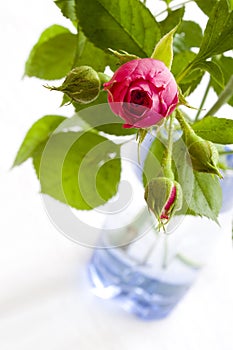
(146, 297)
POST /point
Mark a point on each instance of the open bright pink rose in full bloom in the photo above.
(142, 92)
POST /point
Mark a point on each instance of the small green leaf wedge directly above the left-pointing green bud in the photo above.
(86, 51)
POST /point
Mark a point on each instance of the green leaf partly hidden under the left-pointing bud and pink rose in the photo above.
(99, 116)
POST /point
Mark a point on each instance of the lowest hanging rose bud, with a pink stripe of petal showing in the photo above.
(163, 197)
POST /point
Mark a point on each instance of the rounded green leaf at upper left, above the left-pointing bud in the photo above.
(53, 55)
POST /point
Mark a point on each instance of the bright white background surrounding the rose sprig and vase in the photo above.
(45, 299)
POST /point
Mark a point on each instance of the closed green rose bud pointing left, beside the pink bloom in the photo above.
(82, 85)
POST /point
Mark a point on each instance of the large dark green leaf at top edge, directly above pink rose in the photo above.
(119, 24)
